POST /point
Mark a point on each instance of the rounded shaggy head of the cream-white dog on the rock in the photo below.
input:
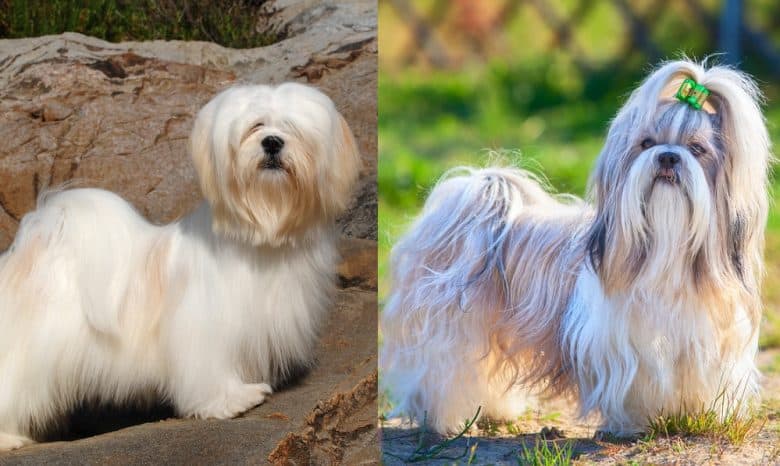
(273, 161)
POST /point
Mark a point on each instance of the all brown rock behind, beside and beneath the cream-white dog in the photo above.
(79, 111)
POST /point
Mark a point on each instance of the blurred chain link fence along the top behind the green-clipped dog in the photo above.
(589, 35)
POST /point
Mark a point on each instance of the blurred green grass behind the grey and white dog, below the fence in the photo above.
(432, 121)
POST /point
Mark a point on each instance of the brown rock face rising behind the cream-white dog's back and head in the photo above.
(86, 112)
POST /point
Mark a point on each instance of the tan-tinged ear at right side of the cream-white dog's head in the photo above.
(346, 164)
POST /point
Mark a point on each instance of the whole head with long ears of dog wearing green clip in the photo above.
(680, 193)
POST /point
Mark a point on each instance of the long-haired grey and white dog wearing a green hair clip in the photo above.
(644, 300)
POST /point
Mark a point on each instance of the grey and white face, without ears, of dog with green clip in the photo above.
(672, 167)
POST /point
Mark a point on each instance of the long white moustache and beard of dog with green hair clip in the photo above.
(661, 224)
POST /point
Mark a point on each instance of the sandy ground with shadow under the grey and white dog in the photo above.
(495, 444)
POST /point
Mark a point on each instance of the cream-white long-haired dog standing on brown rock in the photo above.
(208, 313)
